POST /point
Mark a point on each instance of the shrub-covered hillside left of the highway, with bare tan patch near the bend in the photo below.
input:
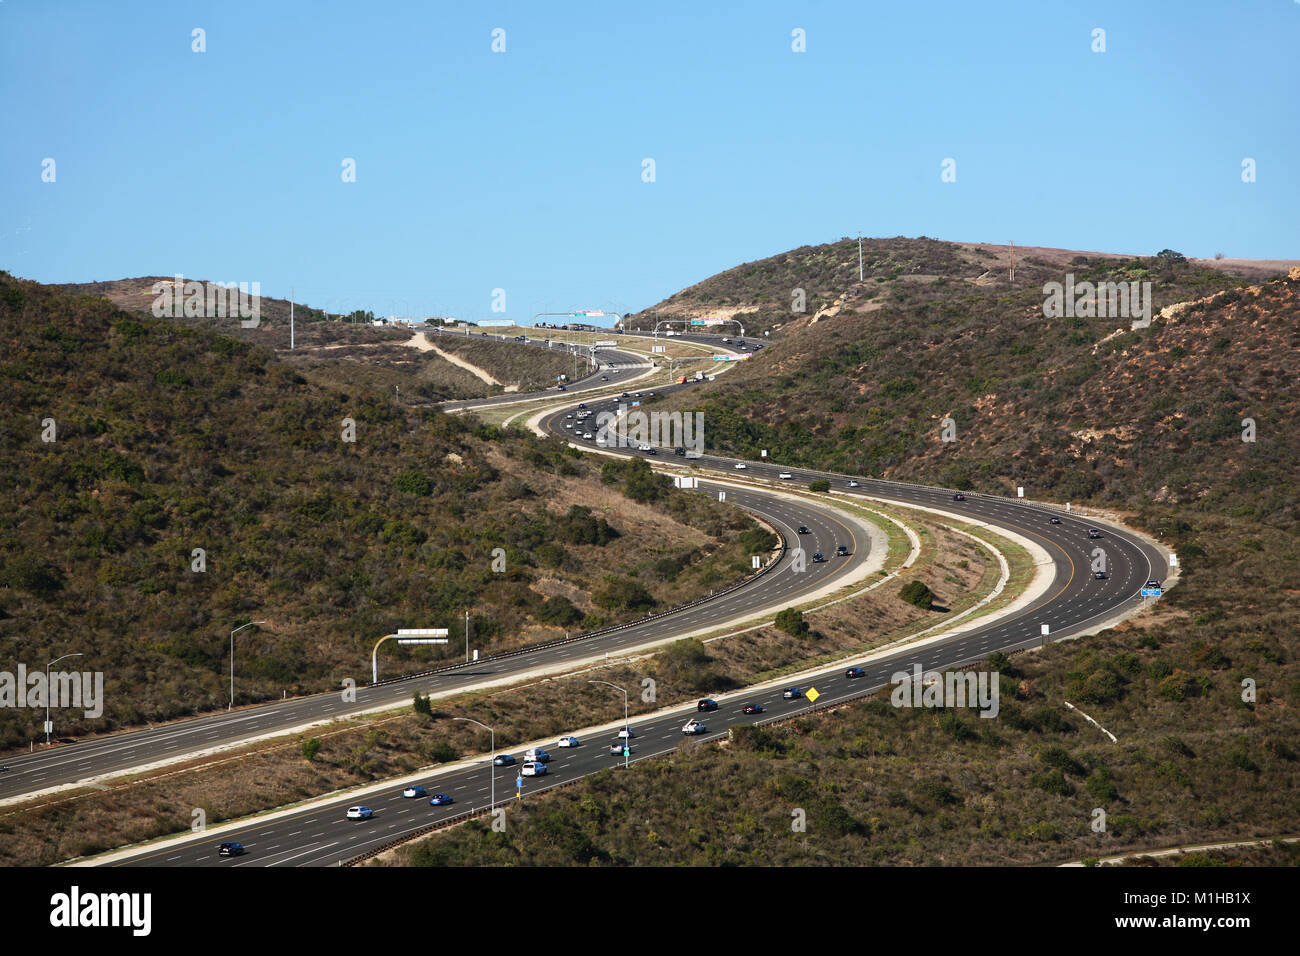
(167, 485)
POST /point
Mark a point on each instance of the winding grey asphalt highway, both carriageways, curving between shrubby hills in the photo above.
(1074, 603)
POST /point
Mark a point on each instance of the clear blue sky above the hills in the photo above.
(522, 171)
